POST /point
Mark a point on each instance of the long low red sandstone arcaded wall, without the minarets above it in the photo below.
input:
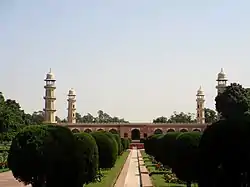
(142, 129)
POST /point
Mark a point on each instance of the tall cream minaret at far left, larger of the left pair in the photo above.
(49, 98)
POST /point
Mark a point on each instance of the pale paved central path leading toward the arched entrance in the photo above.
(130, 176)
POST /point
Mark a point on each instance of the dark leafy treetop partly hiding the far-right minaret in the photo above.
(234, 102)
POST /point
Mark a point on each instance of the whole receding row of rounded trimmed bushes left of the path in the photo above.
(51, 155)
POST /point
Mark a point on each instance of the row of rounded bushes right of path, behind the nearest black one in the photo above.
(178, 151)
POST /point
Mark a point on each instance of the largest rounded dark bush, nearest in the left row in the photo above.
(44, 154)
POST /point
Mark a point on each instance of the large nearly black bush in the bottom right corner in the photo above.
(229, 140)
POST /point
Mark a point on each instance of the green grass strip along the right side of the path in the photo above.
(158, 179)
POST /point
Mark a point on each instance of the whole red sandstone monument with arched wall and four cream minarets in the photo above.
(131, 130)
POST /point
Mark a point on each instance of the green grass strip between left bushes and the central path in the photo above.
(111, 175)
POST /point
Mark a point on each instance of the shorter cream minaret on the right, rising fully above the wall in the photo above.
(200, 106)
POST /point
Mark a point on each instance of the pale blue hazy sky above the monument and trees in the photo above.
(135, 59)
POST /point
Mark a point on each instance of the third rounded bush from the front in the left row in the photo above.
(106, 148)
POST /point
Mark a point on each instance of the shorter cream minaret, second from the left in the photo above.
(72, 106)
